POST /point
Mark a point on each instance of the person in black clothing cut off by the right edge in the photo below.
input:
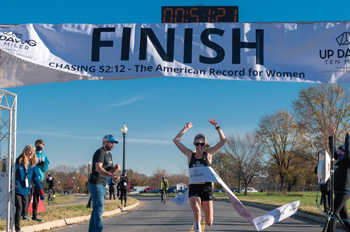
(341, 179)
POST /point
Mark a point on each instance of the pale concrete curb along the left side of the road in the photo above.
(71, 221)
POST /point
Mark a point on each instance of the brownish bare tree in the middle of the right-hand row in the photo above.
(280, 136)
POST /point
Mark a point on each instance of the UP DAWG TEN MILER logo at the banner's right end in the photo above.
(331, 56)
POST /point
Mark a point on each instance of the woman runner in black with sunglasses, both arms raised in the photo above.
(200, 194)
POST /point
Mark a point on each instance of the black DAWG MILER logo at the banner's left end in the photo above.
(14, 40)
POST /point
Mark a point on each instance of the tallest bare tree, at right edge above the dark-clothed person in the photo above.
(319, 107)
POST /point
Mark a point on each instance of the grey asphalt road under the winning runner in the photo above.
(156, 216)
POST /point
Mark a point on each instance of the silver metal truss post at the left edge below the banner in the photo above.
(8, 132)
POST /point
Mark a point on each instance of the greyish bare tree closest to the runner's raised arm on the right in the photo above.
(247, 156)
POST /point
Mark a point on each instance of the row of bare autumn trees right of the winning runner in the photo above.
(282, 152)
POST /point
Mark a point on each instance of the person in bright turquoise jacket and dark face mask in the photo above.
(42, 166)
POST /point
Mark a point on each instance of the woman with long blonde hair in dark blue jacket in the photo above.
(26, 171)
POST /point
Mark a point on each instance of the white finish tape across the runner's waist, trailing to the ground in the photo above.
(207, 174)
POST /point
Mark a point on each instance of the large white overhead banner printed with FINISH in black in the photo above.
(42, 53)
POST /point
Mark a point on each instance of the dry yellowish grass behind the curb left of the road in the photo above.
(59, 211)
